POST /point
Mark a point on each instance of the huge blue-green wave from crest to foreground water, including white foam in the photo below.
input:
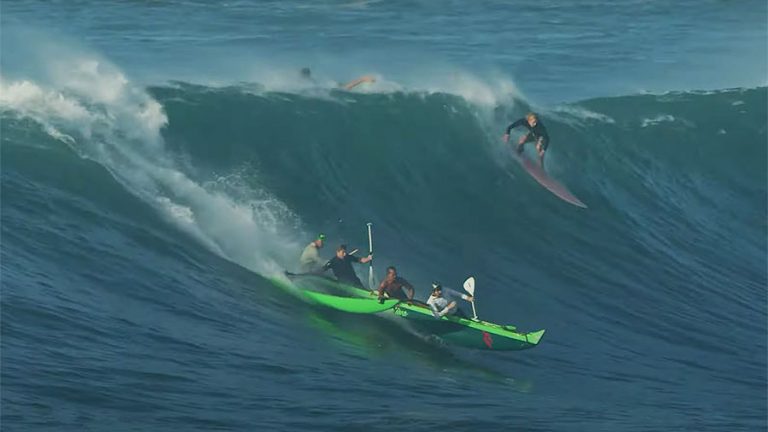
(140, 227)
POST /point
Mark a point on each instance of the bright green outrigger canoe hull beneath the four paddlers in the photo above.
(452, 330)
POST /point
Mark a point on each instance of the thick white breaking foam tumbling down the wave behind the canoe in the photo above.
(91, 106)
